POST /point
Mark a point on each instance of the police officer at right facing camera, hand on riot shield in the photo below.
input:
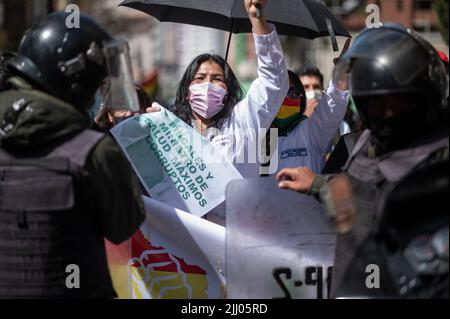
(390, 205)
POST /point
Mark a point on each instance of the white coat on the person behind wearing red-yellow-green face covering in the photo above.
(308, 143)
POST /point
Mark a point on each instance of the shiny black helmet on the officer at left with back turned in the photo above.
(65, 62)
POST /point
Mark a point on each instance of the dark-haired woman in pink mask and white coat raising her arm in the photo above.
(211, 100)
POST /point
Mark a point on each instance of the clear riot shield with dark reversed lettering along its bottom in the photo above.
(279, 244)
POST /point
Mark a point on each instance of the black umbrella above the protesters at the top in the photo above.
(301, 18)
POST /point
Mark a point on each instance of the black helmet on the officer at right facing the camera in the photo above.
(398, 83)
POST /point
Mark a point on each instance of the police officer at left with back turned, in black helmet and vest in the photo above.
(64, 187)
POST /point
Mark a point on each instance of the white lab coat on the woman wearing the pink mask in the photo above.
(238, 136)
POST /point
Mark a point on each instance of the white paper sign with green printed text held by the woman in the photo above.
(176, 165)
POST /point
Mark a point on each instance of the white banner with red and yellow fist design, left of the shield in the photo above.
(176, 255)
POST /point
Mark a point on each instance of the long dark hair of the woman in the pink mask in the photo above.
(182, 108)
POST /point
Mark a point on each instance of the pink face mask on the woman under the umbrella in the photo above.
(206, 99)
